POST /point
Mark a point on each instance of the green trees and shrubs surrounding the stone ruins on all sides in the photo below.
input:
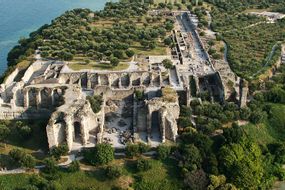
(215, 154)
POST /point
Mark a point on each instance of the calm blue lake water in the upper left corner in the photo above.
(20, 17)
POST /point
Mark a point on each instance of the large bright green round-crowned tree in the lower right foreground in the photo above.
(243, 165)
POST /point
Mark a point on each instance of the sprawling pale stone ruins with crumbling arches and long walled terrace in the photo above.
(138, 104)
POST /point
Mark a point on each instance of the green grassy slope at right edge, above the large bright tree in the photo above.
(270, 131)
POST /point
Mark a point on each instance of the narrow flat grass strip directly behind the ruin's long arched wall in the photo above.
(98, 66)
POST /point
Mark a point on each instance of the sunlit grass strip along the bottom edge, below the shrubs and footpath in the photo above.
(162, 175)
